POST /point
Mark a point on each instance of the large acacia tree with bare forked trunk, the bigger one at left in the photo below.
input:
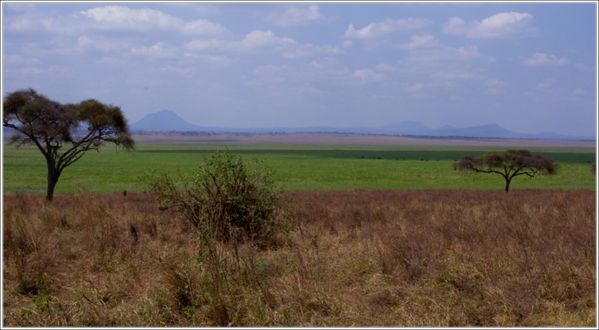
(62, 132)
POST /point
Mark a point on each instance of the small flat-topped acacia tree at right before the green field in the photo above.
(509, 164)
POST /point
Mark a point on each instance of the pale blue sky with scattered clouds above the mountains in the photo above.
(527, 67)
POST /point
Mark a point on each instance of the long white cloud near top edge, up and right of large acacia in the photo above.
(120, 17)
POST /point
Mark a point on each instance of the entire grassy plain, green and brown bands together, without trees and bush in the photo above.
(387, 236)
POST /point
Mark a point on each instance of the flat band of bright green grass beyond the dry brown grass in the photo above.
(294, 168)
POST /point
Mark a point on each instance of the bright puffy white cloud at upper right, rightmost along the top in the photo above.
(500, 25)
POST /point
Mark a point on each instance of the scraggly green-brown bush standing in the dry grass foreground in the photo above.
(225, 199)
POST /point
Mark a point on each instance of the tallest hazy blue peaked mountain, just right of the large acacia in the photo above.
(164, 121)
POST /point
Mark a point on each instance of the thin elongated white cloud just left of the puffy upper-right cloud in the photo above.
(375, 30)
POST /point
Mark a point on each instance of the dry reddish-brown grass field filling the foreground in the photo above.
(352, 258)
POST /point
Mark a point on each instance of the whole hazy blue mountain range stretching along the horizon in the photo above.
(169, 121)
